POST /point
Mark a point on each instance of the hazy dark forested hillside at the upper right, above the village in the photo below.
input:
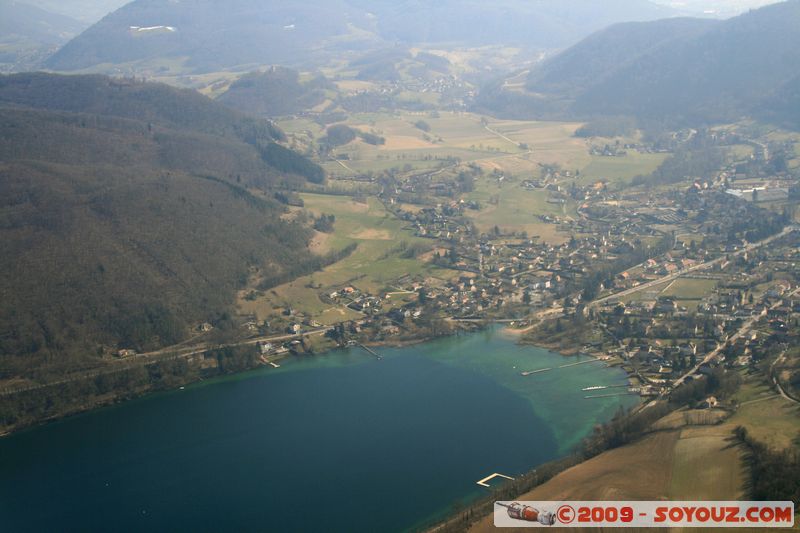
(675, 71)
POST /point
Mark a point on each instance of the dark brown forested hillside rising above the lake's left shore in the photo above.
(125, 232)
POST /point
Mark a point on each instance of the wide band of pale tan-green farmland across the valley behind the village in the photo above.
(495, 144)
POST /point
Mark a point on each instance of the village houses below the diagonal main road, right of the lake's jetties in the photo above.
(754, 305)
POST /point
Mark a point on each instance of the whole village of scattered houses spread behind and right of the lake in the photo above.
(667, 285)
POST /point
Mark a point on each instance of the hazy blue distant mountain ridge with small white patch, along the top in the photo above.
(198, 35)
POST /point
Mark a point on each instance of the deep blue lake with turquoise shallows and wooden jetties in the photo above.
(335, 442)
